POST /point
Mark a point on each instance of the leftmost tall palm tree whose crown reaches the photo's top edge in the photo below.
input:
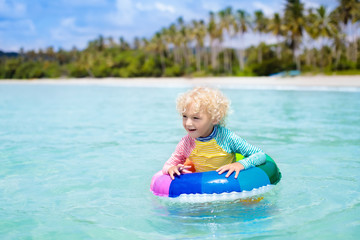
(294, 22)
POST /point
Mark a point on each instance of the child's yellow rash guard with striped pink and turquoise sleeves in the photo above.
(214, 151)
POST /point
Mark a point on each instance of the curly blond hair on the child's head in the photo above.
(207, 100)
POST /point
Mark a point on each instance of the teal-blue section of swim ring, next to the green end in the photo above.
(252, 178)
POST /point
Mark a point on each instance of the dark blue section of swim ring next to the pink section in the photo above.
(186, 184)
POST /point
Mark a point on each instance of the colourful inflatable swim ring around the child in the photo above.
(211, 182)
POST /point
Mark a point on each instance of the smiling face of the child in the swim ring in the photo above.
(197, 124)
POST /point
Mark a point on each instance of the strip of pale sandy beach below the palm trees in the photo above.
(305, 82)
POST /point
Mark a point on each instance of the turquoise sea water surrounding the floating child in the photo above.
(76, 163)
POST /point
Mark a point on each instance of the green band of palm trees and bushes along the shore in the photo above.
(310, 40)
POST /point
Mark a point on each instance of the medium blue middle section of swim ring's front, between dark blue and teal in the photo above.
(212, 182)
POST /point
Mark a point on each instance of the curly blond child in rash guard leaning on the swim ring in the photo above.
(208, 144)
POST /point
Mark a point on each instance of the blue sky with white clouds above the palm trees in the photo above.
(35, 24)
